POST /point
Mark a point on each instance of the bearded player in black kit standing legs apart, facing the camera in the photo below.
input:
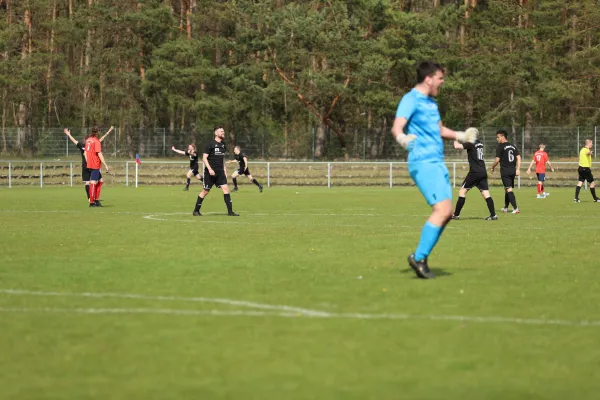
(215, 172)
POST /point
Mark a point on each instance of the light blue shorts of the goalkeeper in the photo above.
(432, 179)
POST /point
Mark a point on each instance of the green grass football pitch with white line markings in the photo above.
(306, 295)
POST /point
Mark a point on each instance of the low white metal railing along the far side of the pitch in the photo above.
(330, 174)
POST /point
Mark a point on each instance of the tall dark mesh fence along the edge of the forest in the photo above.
(361, 144)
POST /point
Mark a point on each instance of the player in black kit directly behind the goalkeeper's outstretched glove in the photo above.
(477, 176)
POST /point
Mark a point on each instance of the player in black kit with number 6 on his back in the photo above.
(510, 163)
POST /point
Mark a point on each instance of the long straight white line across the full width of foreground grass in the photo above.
(247, 313)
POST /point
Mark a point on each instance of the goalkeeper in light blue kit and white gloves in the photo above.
(418, 128)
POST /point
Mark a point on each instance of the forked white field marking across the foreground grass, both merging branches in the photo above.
(273, 311)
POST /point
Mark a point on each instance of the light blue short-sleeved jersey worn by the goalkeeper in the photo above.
(423, 121)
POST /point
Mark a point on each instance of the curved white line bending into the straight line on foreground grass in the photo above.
(167, 298)
